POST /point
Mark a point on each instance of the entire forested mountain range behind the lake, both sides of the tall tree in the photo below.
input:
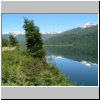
(74, 36)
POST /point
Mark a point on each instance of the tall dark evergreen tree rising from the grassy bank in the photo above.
(33, 39)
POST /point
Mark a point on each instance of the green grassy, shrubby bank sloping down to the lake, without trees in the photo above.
(19, 69)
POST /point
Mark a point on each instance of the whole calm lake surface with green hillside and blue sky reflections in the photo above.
(79, 64)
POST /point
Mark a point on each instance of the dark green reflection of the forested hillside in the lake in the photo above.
(72, 53)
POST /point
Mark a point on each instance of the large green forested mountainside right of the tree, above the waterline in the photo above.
(75, 36)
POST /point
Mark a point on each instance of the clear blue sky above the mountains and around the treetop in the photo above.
(46, 22)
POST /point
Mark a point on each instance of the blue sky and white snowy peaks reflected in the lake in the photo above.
(83, 73)
